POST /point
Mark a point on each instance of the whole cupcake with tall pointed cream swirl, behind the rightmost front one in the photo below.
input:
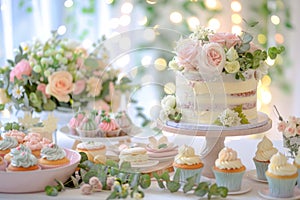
(265, 151)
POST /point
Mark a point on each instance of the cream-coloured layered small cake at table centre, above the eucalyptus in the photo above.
(135, 155)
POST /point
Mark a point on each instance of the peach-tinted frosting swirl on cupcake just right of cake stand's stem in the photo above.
(227, 159)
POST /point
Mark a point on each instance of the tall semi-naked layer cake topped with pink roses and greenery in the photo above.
(216, 79)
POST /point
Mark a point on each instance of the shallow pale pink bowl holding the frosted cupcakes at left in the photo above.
(35, 181)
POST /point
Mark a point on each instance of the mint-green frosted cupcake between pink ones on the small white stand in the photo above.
(88, 128)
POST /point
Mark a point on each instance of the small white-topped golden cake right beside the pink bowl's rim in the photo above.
(92, 149)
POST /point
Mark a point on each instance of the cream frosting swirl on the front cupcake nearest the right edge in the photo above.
(280, 167)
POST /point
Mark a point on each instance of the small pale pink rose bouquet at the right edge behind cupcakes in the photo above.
(290, 130)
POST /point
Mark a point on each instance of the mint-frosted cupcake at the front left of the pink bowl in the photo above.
(24, 161)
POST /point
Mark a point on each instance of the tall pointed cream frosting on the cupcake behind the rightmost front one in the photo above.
(265, 150)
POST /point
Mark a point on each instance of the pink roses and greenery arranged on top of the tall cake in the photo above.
(212, 53)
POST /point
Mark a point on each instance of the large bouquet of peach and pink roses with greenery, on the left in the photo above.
(59, 73)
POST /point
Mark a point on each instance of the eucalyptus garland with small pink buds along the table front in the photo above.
(123, 181)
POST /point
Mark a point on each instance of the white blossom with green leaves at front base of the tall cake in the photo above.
(232, 117)
